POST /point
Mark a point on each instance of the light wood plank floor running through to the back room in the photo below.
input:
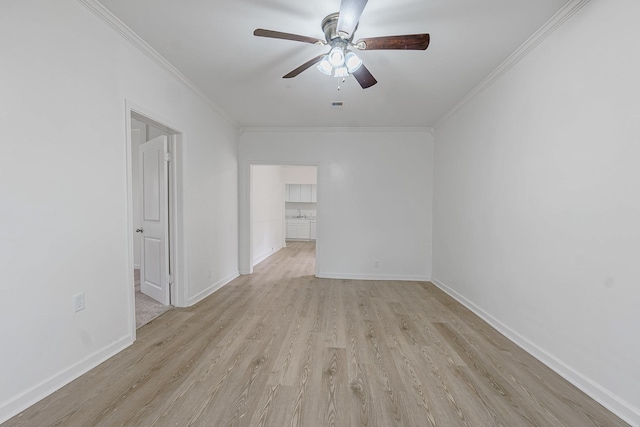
(284, 348)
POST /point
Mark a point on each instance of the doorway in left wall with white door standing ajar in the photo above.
(155, 216)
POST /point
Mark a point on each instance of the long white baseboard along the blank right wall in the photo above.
(606, 398)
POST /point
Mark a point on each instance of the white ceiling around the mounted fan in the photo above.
(211, 42)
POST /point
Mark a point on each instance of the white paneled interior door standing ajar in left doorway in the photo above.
(154, 181)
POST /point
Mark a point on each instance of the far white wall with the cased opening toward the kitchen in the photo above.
(374, 197)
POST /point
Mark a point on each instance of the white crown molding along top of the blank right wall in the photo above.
(566, 12)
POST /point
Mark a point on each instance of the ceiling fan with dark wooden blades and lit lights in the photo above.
(339, 29)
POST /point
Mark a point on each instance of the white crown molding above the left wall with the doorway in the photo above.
(128, 34)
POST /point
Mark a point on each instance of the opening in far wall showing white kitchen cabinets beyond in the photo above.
(284, 206)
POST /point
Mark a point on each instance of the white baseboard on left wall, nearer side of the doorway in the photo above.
(13, 407)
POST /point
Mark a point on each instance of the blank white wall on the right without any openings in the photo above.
(536, 219)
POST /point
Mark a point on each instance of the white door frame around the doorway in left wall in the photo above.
(177, 256)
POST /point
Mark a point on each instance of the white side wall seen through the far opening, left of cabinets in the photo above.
(267, 196)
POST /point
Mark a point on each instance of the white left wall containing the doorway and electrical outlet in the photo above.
(64, 79)
